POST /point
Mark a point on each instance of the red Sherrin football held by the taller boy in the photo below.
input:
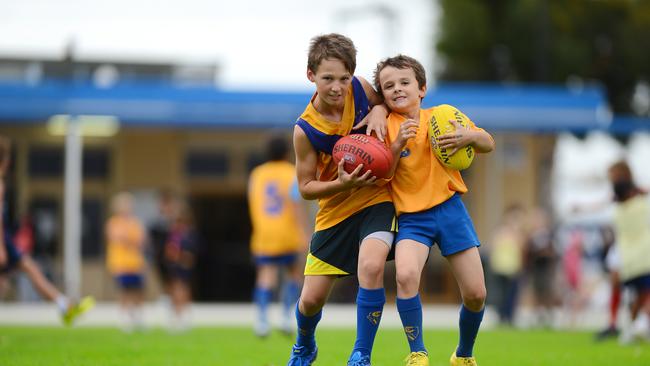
(363, 149)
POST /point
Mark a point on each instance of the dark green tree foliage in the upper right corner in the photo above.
(548, 41)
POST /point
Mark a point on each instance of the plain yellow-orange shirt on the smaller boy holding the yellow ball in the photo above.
(420, 181)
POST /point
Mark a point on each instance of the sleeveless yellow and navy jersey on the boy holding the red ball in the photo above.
(323, 134)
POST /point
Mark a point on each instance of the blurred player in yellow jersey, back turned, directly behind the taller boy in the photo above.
(279, 236)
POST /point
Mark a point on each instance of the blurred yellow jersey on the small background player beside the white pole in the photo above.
(124, 253)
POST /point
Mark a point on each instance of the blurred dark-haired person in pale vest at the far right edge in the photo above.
(632, 228)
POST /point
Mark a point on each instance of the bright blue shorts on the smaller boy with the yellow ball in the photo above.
(447, 224)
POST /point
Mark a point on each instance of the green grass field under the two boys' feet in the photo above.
(237, 346)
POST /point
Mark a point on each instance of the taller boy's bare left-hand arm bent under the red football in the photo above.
(306, 169)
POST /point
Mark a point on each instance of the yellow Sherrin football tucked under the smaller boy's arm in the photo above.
(439, 125)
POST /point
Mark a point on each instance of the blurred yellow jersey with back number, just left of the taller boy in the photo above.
(272, 193)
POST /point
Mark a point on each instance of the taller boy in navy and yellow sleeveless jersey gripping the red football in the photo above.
(353, 231)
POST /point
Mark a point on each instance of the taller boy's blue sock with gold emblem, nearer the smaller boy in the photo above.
(370, 304)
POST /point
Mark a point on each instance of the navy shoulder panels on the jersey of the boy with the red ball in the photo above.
(323, 142)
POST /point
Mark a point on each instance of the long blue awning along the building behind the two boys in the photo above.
(526, 108)
